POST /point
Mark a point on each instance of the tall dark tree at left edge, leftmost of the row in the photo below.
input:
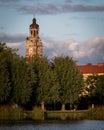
(5, 85)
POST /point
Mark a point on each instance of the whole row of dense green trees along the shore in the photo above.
(42, 82)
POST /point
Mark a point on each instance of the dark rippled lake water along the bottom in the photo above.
(53, 125)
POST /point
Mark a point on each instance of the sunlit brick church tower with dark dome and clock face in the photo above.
(33, 42)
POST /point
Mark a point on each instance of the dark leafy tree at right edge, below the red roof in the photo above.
(95, 88)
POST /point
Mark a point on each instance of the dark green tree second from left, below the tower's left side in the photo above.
(21, 81)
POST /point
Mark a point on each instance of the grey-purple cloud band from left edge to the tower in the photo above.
(12, 38)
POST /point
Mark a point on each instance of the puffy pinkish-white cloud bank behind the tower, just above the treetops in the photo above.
(91, 51)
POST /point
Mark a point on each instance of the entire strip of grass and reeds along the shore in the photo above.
(37, 114)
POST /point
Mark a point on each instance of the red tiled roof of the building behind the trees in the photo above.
(93, 69)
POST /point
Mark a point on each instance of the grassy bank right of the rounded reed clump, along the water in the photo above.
(91, 114)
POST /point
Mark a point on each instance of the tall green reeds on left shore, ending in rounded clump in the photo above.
(8, 113)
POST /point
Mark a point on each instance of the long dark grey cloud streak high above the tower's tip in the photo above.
(56, 9)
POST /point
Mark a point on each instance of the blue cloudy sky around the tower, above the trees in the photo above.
(73, 28)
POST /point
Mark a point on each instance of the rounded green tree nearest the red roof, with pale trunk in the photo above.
(70, 80)
